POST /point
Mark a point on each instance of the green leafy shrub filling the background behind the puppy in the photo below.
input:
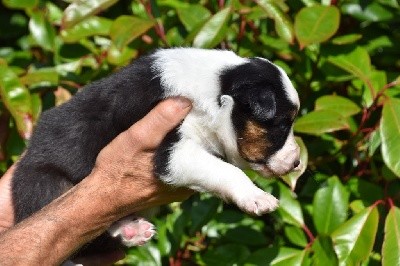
(344, 59)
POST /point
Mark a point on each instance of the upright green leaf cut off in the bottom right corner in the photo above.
(391, 243)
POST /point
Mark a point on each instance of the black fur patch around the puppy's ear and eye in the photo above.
(260, 95)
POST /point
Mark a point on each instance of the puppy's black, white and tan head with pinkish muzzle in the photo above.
(265, 106)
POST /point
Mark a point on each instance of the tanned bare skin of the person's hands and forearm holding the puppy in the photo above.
(121, 183)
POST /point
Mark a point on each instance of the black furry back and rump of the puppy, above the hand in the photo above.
(67, 139)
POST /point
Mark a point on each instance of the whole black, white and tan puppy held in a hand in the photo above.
(242, 116)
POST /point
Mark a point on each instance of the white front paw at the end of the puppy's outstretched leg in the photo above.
(259, 203)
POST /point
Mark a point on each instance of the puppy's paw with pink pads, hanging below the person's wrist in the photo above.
(133, 232)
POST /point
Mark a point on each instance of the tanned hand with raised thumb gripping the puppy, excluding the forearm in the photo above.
(127, 162)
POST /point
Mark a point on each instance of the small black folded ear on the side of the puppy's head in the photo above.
(261, 102)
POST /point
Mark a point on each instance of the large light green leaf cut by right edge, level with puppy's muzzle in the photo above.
(390, 132)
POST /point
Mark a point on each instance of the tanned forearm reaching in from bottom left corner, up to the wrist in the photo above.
(58, 230)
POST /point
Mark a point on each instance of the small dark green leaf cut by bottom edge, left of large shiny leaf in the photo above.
(324, 254)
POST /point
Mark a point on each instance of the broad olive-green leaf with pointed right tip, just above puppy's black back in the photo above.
(127, 28)
